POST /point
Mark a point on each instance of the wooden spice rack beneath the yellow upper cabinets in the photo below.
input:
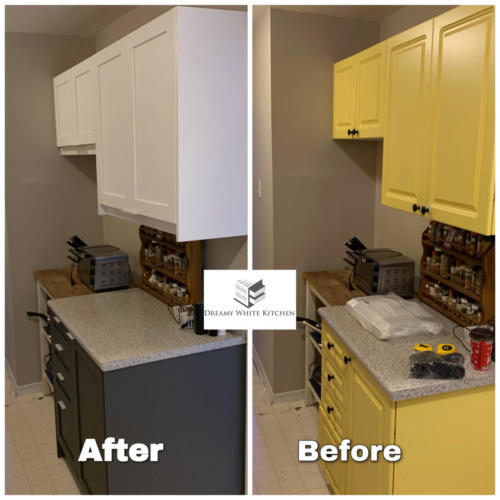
(484, 297)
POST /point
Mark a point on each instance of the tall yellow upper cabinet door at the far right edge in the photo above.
(461, 166)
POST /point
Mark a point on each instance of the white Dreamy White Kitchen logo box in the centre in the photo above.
(250, 300)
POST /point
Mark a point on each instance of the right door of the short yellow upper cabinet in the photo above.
(370, 92)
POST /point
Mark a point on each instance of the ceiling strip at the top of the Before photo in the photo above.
(364, 12)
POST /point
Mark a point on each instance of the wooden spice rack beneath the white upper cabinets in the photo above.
(190, 277)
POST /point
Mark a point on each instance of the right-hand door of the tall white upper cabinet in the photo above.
(152, 55)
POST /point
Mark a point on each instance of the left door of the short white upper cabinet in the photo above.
(64, 100)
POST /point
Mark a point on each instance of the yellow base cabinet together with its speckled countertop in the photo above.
(445, 428)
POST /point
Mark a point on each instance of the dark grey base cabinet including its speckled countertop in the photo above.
(124, 368)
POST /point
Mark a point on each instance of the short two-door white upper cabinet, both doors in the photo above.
(75, 109)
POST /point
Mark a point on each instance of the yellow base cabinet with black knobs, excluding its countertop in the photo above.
(447, 440)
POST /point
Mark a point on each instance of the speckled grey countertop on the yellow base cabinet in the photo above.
(388, 360)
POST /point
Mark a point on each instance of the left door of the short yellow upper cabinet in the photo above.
(344, 95)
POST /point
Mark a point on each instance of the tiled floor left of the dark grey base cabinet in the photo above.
(31, 463)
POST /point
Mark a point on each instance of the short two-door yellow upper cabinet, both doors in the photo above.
(358, 94)
